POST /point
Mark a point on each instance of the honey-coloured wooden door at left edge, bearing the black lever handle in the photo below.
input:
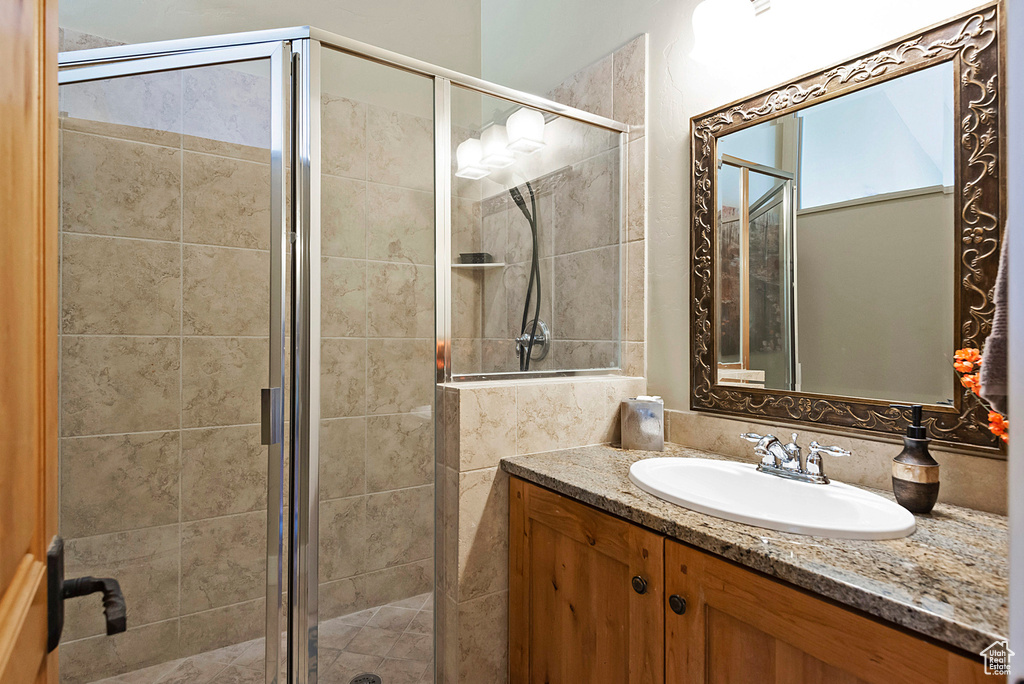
(28, 333)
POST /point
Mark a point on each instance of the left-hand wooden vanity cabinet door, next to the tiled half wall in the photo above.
(586, 594)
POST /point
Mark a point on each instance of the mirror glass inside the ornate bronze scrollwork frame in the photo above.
(835, 258)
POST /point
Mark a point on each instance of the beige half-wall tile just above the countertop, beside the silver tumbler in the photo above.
(561, 415)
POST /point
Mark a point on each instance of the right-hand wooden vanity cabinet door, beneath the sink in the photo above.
(741, 627)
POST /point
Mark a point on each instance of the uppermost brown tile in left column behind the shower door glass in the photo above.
(118, 188)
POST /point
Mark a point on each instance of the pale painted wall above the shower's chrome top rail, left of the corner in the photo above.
(443, 32)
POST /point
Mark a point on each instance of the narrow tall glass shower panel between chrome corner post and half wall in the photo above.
(364, 431)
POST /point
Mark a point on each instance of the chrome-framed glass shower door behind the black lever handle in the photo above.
(172, 334)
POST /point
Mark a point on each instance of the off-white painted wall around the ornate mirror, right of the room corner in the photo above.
(534, 45)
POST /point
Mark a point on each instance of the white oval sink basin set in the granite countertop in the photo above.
(738, 492)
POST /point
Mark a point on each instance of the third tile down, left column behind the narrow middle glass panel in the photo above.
(344, 297)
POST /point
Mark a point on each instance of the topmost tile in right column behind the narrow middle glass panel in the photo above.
(400, 149)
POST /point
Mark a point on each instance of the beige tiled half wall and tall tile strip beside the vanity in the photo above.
(487, 421)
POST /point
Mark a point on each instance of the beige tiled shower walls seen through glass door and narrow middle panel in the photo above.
(164, 316)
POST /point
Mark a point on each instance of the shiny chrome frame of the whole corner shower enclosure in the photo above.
(295, 60)
